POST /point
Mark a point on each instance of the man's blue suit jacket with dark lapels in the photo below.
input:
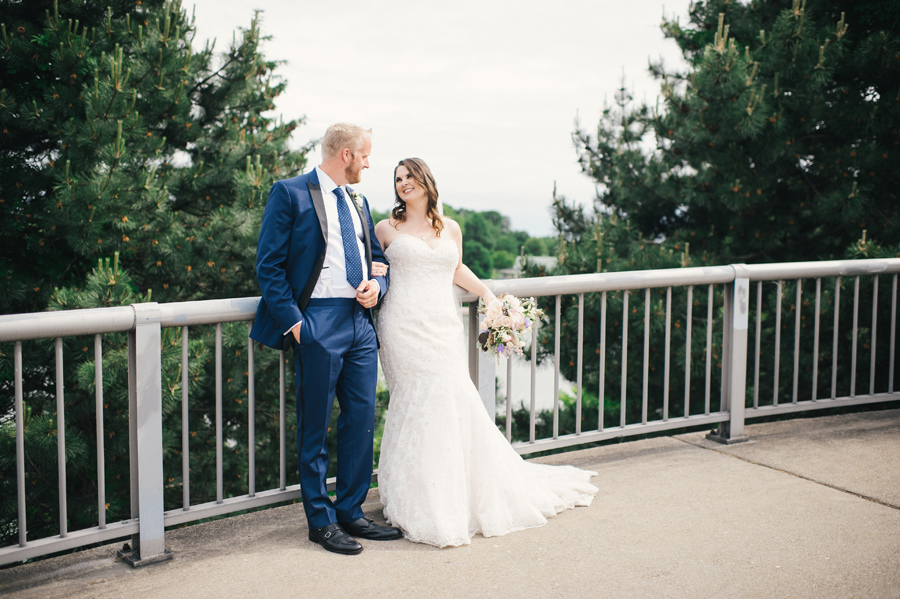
(290, 251)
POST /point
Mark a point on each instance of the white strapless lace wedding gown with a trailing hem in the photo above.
(446, 472)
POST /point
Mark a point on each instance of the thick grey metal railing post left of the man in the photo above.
(145, 438)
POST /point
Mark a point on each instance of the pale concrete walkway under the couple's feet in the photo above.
(806, 508)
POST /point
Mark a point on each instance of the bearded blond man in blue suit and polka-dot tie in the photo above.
(314, 260)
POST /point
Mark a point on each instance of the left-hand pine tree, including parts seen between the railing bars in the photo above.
(117, 137)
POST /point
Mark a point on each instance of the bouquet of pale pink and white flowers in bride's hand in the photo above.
(506, 322)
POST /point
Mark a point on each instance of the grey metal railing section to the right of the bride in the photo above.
(731, 286)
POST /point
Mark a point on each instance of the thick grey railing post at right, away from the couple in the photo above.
(734, 358)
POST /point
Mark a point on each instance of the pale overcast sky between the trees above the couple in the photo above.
(486, 92)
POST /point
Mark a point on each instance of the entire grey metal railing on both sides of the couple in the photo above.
(724, 338)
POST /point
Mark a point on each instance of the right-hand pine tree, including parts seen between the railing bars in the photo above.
(779, 143)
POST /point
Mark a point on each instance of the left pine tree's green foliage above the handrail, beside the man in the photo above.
(119, 136)
